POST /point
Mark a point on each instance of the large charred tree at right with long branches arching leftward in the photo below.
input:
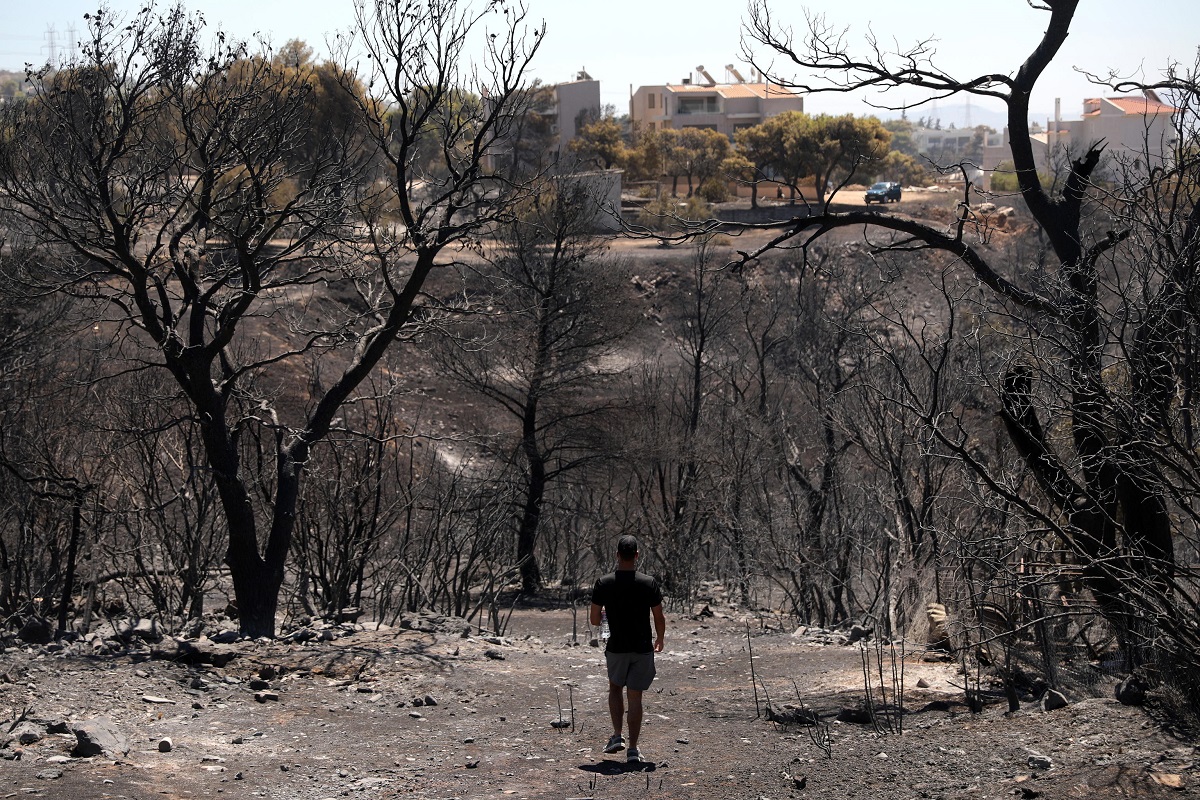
(1100, 405)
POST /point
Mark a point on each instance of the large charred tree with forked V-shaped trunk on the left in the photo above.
(169, 178)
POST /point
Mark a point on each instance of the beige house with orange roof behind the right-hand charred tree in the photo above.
(1135, 131)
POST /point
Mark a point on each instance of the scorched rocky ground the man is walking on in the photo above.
(437, 712)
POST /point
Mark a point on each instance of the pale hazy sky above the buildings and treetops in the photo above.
(625, 43)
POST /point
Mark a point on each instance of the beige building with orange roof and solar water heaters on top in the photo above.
(724, 107)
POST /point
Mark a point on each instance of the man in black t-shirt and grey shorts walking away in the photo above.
(629, 599)
